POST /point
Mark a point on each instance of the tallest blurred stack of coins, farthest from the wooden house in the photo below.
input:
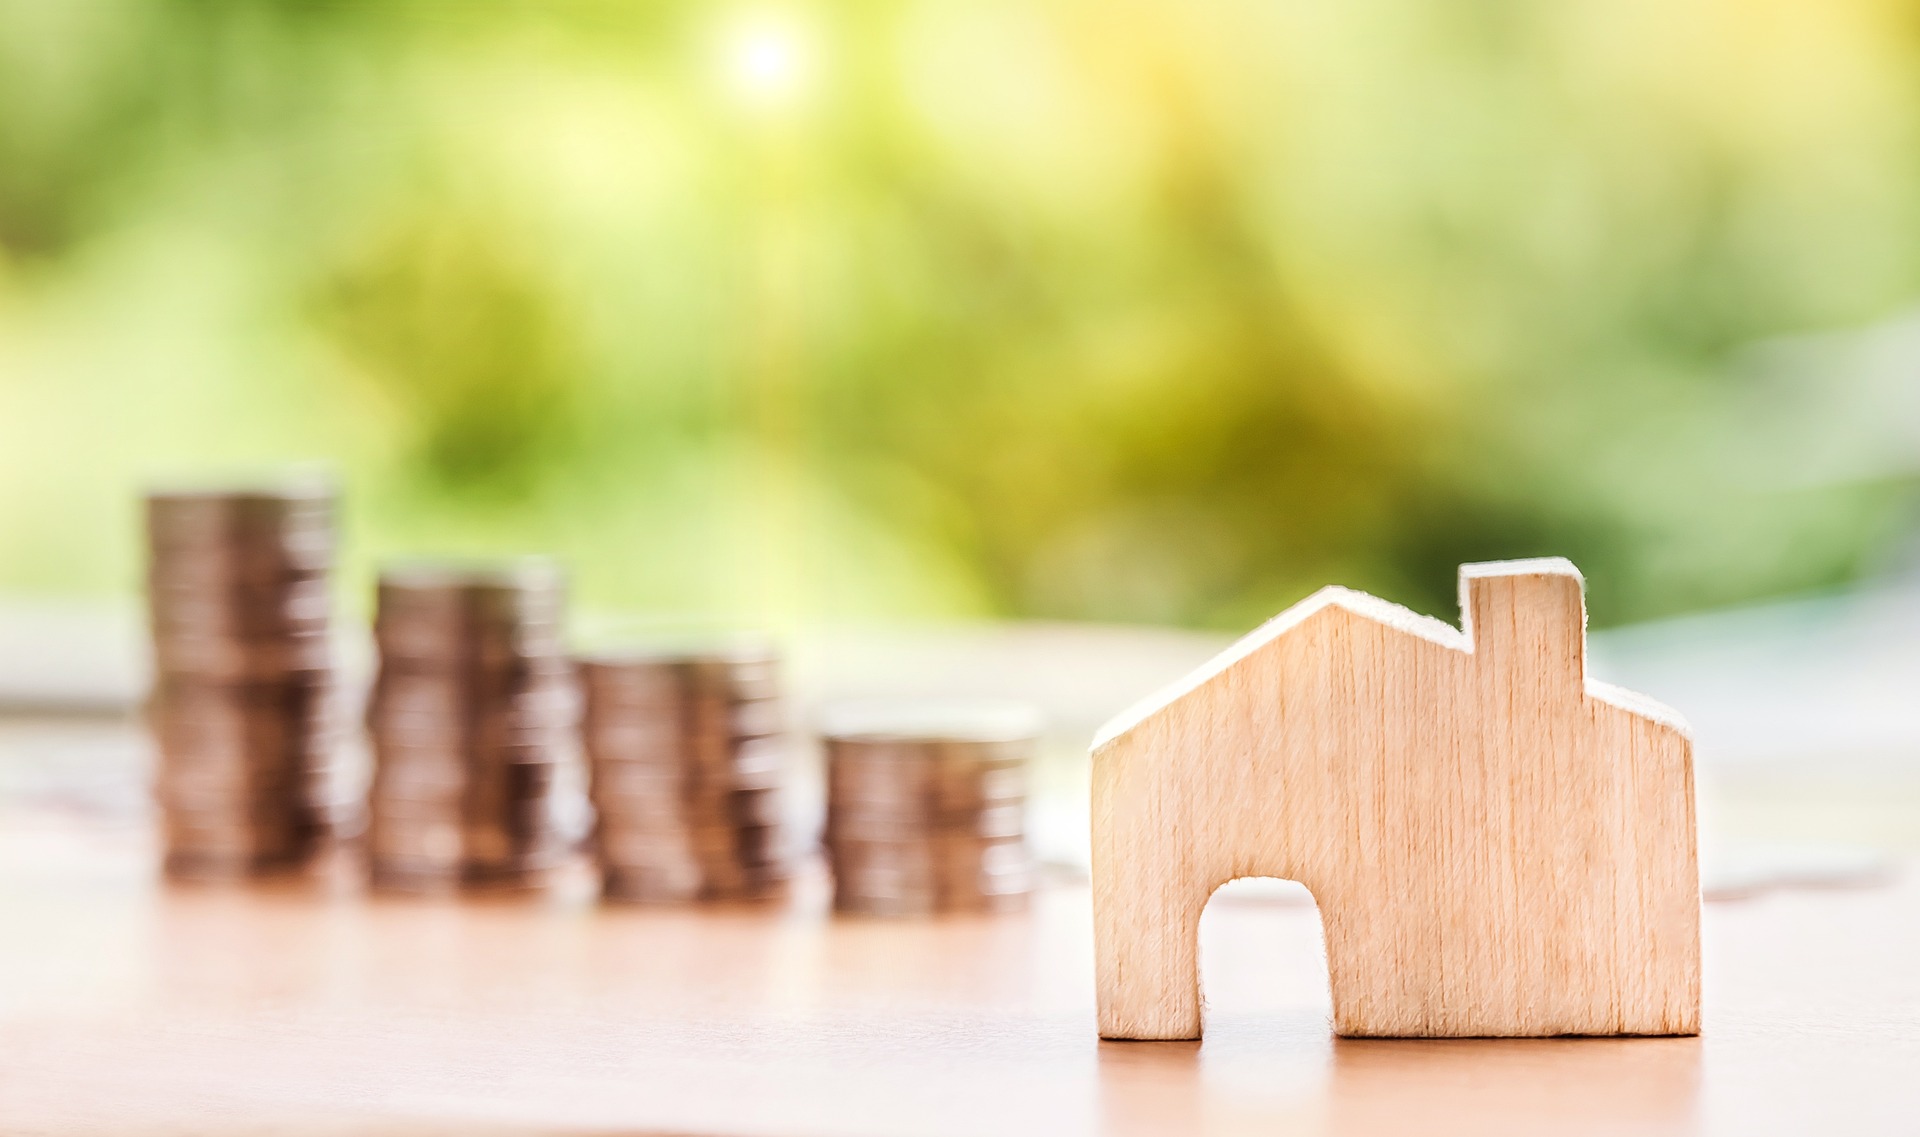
(243, 704)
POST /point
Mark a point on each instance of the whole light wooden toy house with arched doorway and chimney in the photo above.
(1499, 846)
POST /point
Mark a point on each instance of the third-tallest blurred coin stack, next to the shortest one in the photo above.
(686, 758)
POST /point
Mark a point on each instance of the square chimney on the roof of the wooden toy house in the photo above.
(1527, 617)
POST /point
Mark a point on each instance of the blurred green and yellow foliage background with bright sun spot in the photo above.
(955, 308)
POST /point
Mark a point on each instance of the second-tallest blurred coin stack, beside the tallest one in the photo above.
(471, 723)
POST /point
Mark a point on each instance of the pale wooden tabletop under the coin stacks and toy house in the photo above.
(130, 1007)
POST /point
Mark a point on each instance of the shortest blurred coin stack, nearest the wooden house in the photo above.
(926, 808)
